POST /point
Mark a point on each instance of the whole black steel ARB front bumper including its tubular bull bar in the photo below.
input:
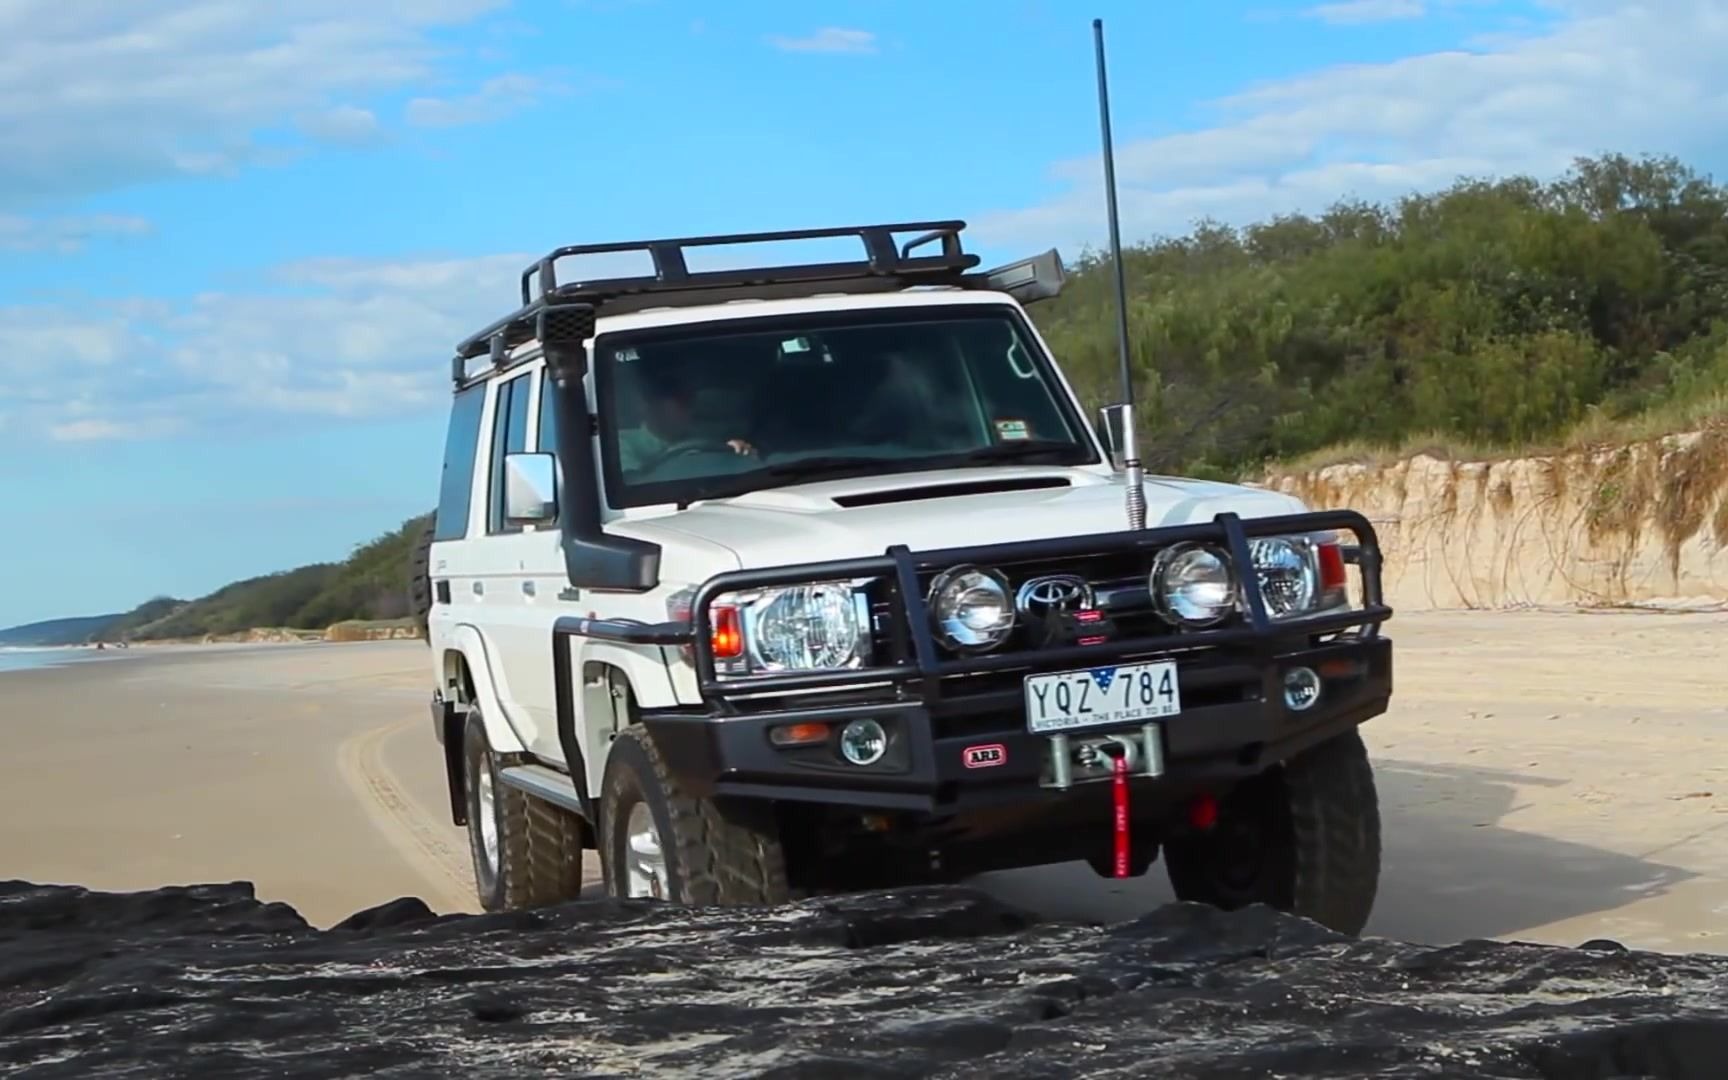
(958, 734)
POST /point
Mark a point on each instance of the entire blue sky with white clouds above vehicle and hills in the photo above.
(238, 241)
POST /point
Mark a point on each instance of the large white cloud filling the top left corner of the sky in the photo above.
(98, 96)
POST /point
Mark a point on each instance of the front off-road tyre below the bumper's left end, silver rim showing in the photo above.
(715, 856)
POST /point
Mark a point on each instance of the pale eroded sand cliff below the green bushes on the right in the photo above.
(1632, 526)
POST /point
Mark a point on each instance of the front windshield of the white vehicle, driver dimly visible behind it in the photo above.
(723, 409)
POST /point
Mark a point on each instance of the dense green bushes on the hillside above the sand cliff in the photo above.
(1490, 317)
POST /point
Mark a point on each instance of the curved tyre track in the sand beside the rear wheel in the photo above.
(422, 844)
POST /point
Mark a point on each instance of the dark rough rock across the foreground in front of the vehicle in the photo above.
(939, 982)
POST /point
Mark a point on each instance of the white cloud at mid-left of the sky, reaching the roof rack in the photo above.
(336, 338)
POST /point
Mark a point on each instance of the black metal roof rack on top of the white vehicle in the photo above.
(884, 269)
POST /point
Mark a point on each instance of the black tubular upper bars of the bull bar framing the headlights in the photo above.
(917, 663)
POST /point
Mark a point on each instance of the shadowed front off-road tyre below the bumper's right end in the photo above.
(1319, 841)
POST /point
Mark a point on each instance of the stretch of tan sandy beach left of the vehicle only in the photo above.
(305, 768)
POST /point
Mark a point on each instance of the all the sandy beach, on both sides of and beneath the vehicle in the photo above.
(1544, 777)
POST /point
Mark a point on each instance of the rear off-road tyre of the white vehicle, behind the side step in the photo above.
(540, 846)
